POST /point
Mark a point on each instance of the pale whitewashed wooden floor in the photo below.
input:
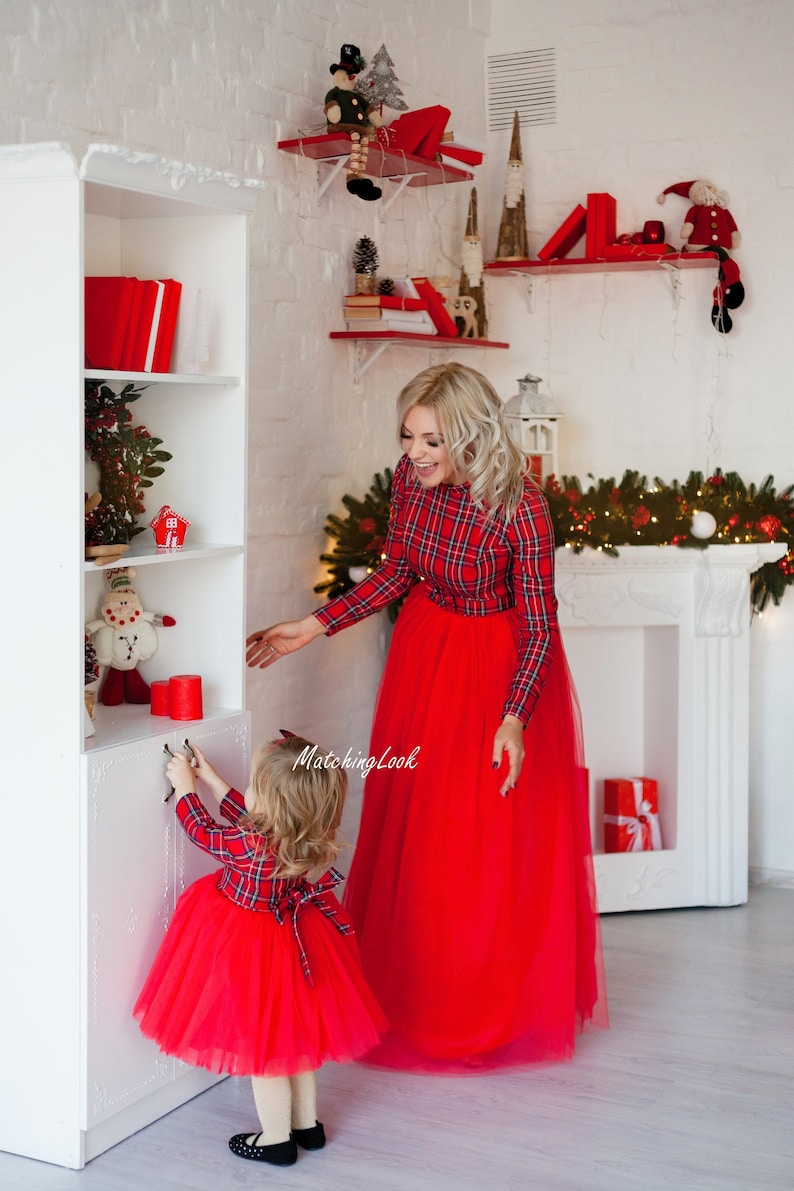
(692, 1088)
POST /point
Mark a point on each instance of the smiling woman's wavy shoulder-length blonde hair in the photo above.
(471, 417)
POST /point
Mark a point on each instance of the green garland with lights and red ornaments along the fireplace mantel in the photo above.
(604, 516)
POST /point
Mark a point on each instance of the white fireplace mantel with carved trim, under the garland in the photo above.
(659, 644)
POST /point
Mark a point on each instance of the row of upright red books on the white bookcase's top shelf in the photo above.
(130, 325)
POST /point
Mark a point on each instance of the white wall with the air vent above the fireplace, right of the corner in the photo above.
(652, 95)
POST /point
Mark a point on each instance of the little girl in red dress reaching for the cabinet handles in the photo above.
(259, 974)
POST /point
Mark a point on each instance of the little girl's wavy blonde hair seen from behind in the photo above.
(298, 806)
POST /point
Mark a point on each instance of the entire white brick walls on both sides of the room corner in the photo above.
(649, 95)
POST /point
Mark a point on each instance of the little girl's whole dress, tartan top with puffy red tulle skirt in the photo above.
(257, 976)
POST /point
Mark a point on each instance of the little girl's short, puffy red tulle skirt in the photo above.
(227, 990)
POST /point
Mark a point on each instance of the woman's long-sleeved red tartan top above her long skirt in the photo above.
(472, 566)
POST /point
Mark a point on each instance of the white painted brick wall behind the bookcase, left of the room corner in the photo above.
(220, 85)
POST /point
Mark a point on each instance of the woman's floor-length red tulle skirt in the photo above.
(476, 915)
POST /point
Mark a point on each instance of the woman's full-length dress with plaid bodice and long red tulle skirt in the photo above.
(476, 914)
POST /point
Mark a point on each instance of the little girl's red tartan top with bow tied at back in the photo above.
(247, 877)
